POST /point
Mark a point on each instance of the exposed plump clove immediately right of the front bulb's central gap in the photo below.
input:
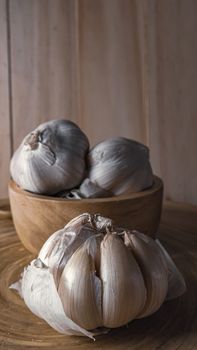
(124, 292)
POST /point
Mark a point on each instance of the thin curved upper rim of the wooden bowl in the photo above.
(157, 186)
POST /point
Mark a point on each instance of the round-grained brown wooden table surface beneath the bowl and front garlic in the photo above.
(173, 327)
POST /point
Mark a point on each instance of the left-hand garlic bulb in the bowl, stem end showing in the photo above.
(51, 158)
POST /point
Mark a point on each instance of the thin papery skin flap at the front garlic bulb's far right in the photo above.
(176, 282)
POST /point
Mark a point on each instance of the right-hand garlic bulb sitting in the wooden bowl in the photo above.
(120, 165)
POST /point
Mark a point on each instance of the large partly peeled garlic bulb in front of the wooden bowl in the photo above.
(91, 275)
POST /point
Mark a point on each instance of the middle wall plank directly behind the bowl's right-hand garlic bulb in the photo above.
(111, 69)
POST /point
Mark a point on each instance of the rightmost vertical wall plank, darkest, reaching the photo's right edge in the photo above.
(173, 102)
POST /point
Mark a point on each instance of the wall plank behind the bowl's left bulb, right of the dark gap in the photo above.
(43, 63)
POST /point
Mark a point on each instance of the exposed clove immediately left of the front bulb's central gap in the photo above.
(80, 289)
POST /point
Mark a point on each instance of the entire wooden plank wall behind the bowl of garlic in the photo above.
(116, 67)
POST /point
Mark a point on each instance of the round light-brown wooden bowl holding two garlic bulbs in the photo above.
(36, 217)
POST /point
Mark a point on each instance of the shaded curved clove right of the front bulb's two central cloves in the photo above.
(154, 270)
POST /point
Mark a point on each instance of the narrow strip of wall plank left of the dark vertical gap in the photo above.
(4, 103)
